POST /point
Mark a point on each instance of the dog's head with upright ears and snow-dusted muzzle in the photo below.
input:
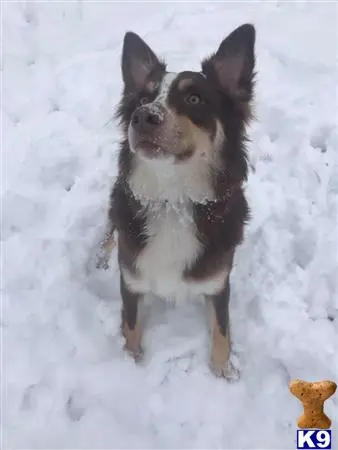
(180, 116)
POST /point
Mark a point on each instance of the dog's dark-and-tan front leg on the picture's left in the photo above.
(131, 327)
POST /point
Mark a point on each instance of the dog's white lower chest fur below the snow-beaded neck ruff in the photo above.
(172, 246)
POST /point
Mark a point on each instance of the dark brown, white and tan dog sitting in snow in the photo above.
(178, 203)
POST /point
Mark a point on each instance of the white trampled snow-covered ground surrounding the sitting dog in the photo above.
(65, 380)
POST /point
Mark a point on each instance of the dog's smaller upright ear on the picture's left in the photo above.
(138, 61)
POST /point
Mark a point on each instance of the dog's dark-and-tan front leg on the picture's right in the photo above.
(220, 361)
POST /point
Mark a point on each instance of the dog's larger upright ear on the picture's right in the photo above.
(233, 63)
